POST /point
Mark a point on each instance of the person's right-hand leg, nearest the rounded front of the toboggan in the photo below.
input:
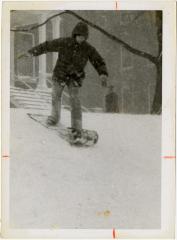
(76, 111)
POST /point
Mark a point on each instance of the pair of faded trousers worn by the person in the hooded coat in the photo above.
(76, 112)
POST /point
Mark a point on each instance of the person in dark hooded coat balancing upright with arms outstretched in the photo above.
(73, 55)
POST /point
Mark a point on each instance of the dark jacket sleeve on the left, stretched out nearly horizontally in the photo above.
(48, 46)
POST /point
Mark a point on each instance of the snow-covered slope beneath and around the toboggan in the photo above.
(115, 184)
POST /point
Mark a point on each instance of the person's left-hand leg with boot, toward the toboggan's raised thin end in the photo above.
(57, 90)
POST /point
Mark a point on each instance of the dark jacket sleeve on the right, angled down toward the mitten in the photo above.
(97, 61)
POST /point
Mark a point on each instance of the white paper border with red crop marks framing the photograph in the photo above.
(168, 119)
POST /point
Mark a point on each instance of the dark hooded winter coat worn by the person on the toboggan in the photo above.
(72, 56)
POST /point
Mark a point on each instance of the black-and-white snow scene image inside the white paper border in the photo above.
(85, 102)
